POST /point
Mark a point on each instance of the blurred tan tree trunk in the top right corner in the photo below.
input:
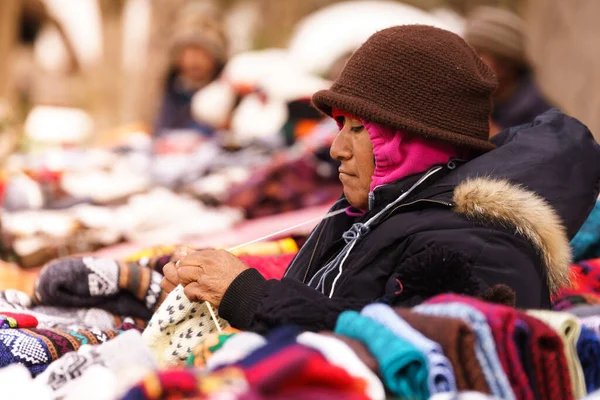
(563, 47)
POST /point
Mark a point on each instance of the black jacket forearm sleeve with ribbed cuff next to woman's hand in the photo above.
(255, 304)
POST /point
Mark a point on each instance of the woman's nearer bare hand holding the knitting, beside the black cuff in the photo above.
(207, 274)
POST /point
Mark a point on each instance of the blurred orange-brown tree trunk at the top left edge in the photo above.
(9, 23)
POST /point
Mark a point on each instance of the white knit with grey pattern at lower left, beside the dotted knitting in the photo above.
(125, 350)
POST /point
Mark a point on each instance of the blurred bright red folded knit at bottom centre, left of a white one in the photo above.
(298, 367)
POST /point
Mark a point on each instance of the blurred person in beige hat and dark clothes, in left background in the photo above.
(198, 54)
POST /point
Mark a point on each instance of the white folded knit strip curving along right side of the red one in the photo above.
(340, 354)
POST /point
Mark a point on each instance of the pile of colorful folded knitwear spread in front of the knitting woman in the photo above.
(103, 329)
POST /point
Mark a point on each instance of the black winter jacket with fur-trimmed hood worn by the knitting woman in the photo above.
(505, 217)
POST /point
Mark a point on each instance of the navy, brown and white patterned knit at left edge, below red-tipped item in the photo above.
(37, 348)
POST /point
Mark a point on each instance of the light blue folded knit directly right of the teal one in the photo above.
(441, 375)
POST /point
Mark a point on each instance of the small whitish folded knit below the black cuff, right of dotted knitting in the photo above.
(235, 349)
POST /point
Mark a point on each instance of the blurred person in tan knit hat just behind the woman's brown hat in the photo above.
(497, 35)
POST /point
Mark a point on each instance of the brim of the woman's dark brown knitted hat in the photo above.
(325, 100)
